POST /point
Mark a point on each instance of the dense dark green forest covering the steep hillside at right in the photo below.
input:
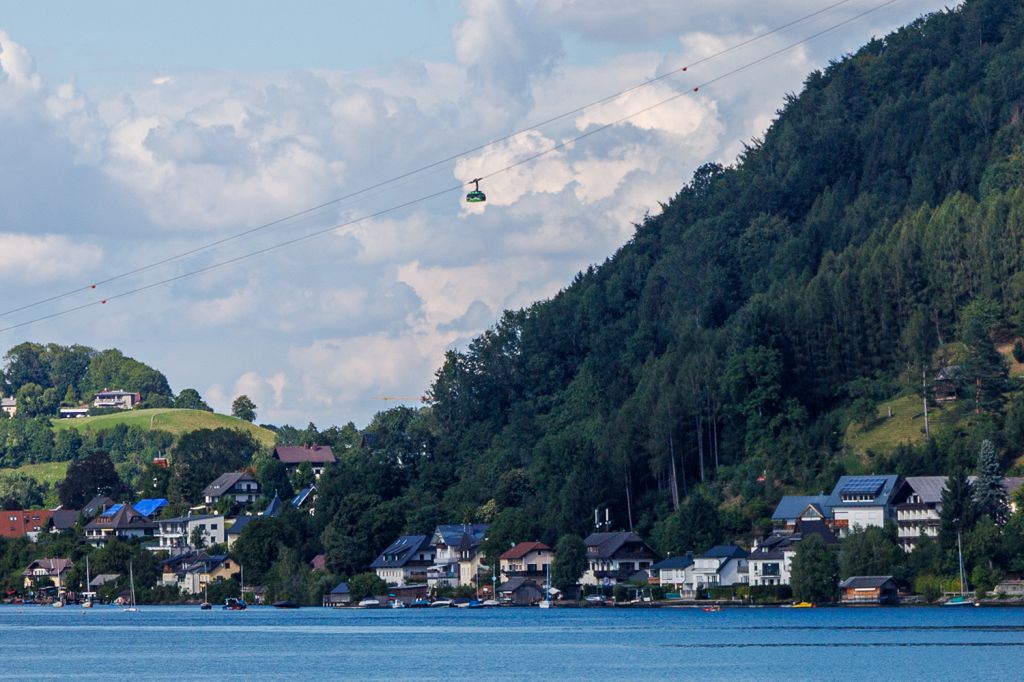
(870, 247)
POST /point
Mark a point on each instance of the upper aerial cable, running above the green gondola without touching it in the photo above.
(416, 172)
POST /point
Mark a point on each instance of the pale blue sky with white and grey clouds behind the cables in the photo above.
(134, 132)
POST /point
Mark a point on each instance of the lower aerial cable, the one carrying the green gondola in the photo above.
(452, 189)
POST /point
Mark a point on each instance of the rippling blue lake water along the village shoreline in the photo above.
(186, 644)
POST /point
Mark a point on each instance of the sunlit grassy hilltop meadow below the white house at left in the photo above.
(170, 420)
